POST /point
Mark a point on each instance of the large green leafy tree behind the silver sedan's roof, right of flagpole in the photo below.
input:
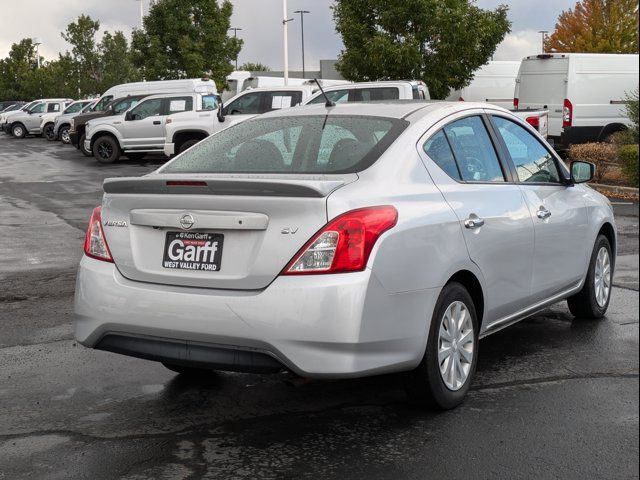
(439, 41)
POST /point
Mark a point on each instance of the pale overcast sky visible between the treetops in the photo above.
(261, 24)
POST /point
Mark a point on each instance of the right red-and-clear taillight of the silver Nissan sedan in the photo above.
(345, 243)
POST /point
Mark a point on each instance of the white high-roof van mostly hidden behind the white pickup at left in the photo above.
(189, 85)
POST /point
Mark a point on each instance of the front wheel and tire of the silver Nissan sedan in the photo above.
(593, 300)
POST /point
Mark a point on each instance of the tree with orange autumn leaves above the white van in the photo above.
(597, 26)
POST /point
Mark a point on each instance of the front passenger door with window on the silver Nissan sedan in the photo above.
(558, 212)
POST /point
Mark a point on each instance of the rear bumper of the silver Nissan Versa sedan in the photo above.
(317, 326)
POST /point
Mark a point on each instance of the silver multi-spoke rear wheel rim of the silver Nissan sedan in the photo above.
(456, 343)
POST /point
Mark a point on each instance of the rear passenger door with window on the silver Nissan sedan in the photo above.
(493, 214)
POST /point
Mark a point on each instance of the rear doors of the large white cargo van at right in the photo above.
(542, 84)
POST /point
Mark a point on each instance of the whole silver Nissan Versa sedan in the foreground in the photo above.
(345, 242)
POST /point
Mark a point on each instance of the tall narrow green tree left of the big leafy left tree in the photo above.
(81, 34)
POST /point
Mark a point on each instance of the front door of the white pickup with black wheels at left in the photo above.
(144, 129)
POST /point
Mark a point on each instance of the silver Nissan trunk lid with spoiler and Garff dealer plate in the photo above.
(260, 221)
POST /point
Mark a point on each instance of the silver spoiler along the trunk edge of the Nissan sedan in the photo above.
(305, 187)
